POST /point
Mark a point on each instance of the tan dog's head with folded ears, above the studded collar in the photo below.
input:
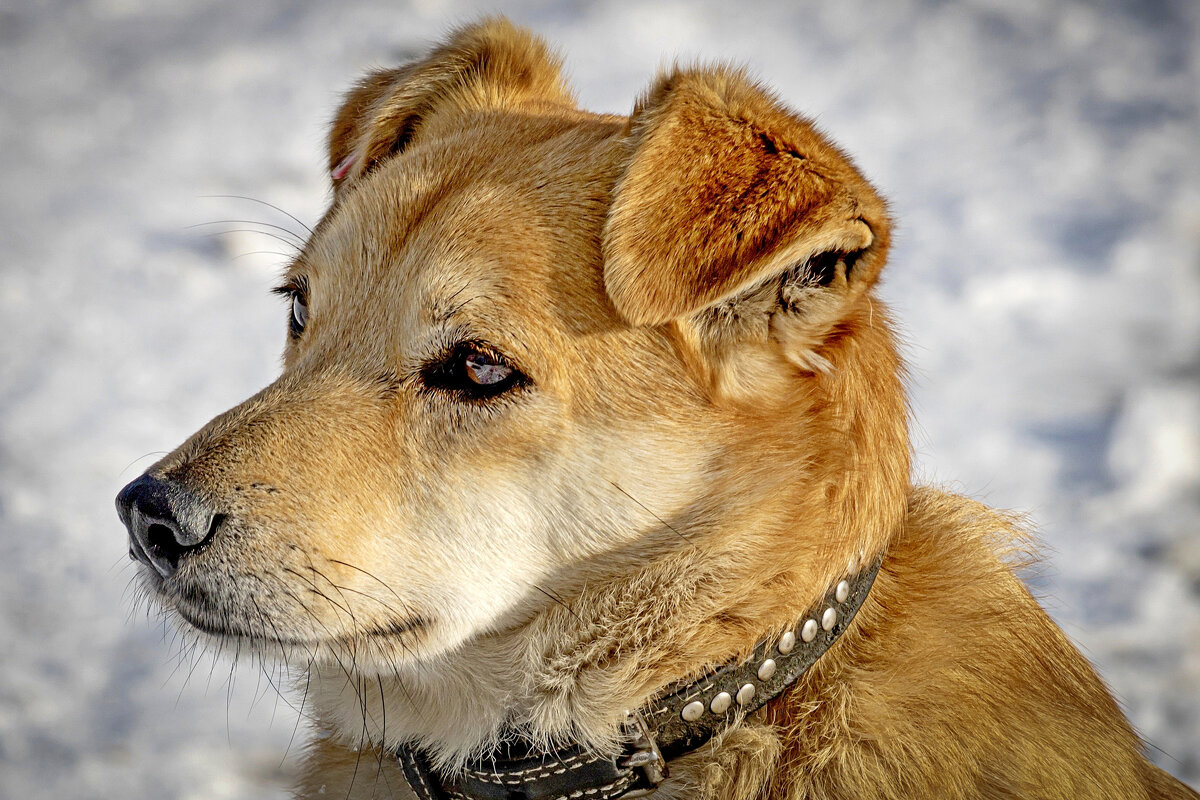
(536, 352)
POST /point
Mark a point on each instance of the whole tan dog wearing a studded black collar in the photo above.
(587, 474)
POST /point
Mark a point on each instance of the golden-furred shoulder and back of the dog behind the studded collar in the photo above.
(961, 679)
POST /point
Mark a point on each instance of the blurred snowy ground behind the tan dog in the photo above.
(1043, 164)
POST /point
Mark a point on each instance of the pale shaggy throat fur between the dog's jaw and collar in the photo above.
(572, 673)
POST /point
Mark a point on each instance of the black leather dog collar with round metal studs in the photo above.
(669, 727)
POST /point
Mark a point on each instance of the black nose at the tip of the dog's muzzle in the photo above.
(166, 522)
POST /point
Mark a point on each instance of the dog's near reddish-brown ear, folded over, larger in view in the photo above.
(733, 206)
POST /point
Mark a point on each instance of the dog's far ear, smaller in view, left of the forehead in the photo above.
(485, 65)
